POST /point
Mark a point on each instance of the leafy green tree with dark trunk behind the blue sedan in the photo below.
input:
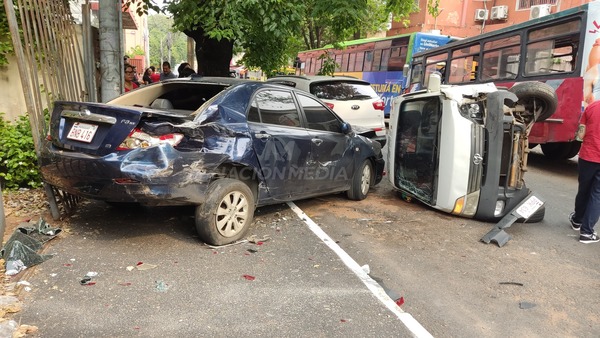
(265, 29)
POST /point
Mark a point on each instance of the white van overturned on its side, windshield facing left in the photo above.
(463, 149)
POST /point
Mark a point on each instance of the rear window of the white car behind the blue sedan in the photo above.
(342, 90)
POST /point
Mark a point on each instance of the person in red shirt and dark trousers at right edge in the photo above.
(587, 200)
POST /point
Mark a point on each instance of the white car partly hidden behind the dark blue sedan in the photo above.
(352, 99)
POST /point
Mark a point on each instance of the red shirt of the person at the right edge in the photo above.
(590, 148)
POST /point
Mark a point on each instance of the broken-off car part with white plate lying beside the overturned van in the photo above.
(524, 210)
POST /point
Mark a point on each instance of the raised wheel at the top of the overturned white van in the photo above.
(538, 98)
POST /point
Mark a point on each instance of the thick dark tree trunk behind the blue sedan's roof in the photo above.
(212, 56)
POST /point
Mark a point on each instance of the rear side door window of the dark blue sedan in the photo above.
(274, 107)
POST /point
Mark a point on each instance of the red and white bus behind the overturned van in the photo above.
(561, 49)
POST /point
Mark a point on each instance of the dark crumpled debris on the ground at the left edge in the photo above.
(20, 251)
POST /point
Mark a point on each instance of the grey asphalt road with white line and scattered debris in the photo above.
(541, 283)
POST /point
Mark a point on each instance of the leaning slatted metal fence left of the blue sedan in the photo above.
(51, 67)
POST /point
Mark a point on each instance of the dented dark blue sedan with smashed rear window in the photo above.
(225, 145)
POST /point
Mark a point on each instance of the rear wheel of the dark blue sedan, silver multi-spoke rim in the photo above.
(227, 213)
